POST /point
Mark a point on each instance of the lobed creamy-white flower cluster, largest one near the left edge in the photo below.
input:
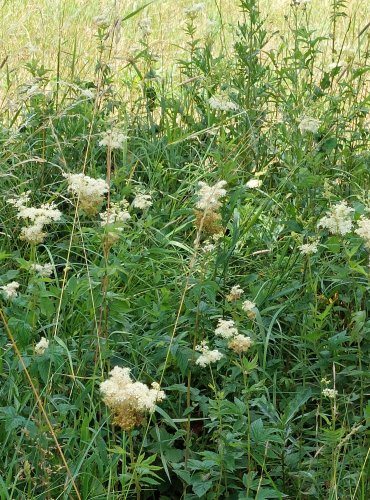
(39, 217)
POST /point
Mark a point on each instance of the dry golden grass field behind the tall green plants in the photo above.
(38, 28)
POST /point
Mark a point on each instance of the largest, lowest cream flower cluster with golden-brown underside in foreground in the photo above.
(129, 400)
